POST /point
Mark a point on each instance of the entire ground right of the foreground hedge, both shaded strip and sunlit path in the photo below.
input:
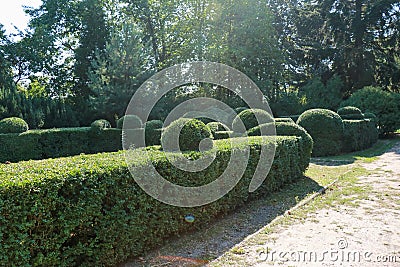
(354, 222)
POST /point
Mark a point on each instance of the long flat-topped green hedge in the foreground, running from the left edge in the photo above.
(87, 210)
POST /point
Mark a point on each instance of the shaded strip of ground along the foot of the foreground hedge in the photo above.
(202, 246)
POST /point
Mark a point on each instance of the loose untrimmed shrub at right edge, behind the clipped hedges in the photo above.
(384, 105)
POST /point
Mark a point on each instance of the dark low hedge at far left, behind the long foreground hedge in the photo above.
(53, 143)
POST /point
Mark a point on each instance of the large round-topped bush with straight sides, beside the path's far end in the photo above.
(325, 128)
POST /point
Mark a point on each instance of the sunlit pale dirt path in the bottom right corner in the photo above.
(363, 230)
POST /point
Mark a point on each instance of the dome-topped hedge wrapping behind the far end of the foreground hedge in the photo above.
(289, 129)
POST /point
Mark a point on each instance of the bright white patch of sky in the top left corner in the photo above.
(12, 13)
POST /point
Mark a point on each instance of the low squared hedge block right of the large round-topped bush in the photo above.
(359, 135)
